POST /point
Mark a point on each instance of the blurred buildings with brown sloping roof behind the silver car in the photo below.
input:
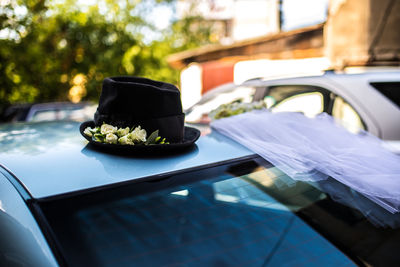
(270, 38)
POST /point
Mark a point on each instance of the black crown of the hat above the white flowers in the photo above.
(133, 101)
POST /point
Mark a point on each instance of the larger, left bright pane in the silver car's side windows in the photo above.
(310, 104)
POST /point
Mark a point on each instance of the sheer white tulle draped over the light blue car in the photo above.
(312, 149)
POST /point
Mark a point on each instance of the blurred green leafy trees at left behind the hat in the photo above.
(57, 50)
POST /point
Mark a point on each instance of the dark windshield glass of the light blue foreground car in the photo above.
(237, 214)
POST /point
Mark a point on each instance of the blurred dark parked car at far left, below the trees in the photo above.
(49, 112)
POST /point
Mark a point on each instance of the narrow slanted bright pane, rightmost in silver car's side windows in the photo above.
(347, 115)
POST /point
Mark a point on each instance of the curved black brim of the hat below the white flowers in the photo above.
(190, 137)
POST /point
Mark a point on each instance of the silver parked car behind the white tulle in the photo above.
(368, 100)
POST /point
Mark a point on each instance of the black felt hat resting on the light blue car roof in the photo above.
(153, 105)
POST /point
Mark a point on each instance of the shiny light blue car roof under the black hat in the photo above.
(52, 158)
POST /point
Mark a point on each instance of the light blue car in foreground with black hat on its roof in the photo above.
(65, 203)
